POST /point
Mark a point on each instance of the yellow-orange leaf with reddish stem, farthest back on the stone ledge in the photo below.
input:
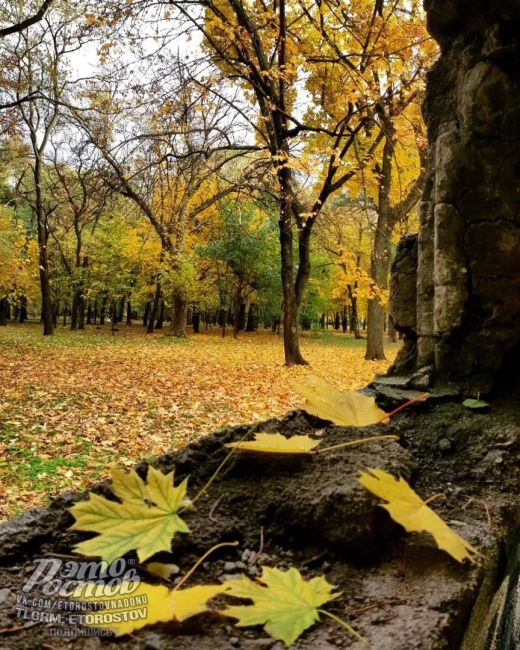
(343, 407)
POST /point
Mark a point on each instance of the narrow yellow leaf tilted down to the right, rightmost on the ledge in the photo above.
(408, 509)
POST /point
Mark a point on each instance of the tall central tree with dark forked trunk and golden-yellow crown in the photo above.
(344, 58)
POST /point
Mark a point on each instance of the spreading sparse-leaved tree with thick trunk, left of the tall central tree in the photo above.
(171, 167)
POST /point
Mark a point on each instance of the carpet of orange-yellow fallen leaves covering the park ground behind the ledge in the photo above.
(77, 403)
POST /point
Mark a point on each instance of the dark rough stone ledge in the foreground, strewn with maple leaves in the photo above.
(398, 590)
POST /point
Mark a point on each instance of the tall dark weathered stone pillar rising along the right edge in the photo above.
(468, 257)
